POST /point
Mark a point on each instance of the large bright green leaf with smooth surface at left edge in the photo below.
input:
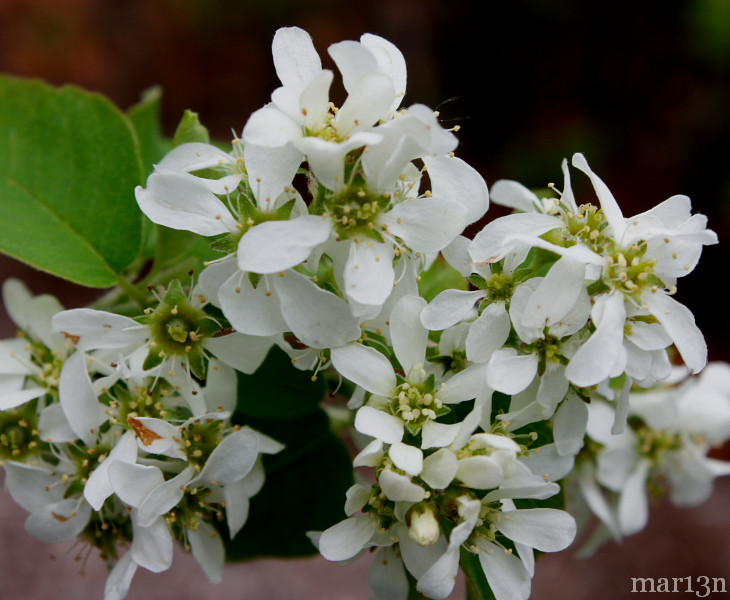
(69, 163)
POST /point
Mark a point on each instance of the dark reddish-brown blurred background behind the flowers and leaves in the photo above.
(642, 88)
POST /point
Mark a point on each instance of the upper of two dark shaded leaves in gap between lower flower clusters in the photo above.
(278, 390)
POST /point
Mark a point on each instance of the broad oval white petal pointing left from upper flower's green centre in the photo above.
(274, 246)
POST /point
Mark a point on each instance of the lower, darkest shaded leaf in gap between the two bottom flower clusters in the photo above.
(304, 490)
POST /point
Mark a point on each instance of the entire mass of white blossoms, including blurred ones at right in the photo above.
(468, 409)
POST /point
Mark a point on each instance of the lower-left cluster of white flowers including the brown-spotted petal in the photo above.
(107, 435)
